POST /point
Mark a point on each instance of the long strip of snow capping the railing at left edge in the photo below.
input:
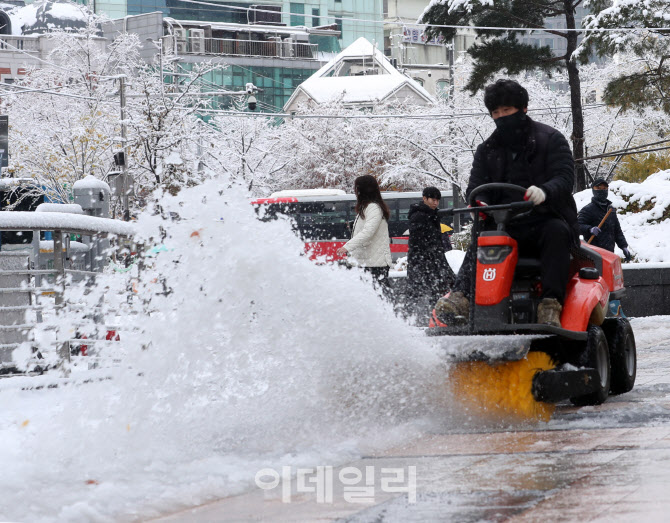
(50, 221)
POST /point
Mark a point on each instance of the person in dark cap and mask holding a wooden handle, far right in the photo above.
(592, 214)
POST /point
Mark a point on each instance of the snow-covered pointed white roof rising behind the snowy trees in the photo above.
(360, 76)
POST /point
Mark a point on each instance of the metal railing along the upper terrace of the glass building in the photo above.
(276, 49)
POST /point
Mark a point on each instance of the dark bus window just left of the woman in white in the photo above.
(323, 220)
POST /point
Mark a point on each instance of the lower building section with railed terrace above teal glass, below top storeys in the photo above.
(275, 58)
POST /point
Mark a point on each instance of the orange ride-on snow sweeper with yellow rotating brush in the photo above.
(504, 363)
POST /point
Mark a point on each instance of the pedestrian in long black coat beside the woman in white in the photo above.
(429, 275)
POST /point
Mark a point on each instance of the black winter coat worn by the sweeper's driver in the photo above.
(544, 161)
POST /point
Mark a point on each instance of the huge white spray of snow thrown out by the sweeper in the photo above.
(254, 357)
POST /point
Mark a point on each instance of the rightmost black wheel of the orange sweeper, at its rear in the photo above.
(623, 354)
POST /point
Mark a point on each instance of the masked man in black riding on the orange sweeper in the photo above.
(538, 158)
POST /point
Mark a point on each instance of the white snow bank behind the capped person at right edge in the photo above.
(644, 213)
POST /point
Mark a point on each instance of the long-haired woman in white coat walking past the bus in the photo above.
(369, 243)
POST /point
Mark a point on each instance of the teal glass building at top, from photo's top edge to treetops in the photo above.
(275, 45)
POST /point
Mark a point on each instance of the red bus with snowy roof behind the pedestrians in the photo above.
(323, 217)
